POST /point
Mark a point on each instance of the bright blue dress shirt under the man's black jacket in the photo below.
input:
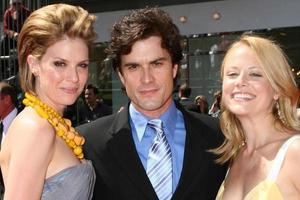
(174, 128)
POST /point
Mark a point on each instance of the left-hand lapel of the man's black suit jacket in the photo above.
(124, 151)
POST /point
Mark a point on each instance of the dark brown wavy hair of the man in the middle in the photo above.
(142, 24)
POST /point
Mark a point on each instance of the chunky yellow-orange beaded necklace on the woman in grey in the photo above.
(62, 126)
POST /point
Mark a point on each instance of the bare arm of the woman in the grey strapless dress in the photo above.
(30, 155)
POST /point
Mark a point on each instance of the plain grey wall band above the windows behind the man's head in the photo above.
(236, 15)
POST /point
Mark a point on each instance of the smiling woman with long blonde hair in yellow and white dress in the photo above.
(259, 122)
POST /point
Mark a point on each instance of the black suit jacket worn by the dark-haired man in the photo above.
(120, 173)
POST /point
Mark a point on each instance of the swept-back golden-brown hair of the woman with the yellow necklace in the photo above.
(46, 26)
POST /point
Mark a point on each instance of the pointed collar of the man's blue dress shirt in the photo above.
(140, 121)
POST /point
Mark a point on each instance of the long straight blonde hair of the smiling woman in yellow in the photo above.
(278, 72)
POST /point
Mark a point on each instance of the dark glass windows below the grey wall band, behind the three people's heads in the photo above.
(200, 68)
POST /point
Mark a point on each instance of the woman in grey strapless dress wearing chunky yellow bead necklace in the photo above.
(41, 157)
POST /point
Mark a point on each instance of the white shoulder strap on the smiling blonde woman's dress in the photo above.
(280, 157)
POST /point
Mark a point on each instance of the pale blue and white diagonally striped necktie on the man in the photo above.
(159, 163)
